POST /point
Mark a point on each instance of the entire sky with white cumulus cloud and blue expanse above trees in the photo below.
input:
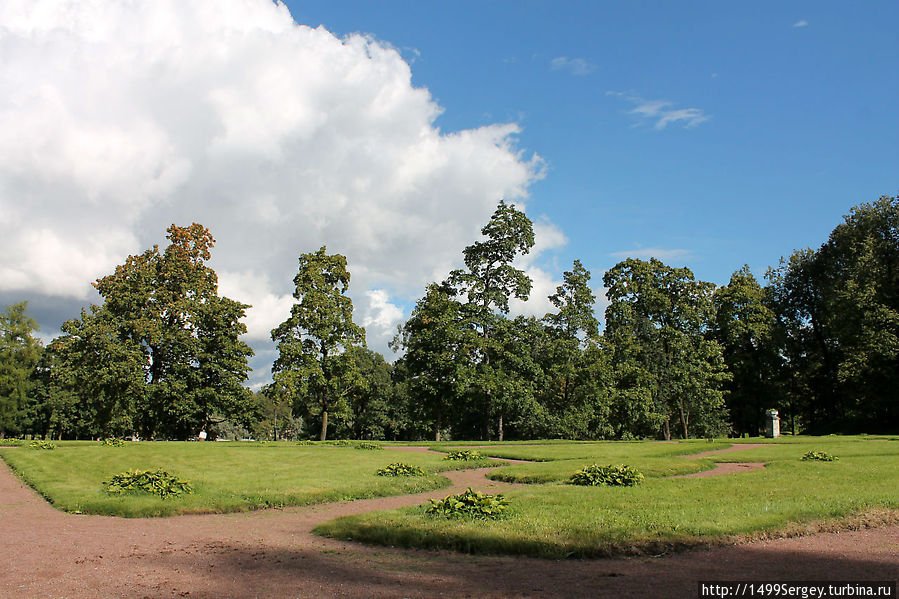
(706, 134)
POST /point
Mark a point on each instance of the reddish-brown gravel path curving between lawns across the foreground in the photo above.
(272, 553)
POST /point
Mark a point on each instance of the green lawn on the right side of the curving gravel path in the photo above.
(558, 520)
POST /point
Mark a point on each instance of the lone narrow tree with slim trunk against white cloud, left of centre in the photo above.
(312, 360)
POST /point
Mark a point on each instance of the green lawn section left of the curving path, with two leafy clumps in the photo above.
(226, 477)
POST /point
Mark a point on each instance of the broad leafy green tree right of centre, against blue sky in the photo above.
(656, 324)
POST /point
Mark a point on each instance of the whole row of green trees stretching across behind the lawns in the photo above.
(161, 356)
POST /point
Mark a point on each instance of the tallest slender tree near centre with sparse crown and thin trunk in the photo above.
(489, 282)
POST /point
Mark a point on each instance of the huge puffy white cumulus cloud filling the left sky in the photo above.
(118, 119)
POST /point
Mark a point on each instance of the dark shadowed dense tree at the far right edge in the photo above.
(838, 317)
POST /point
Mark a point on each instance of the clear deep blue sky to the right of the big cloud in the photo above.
(795, 103)
